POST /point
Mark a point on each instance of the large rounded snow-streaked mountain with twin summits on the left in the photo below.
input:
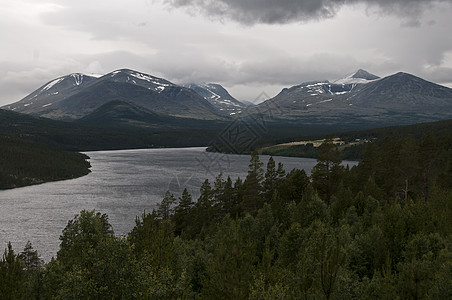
(71, 97)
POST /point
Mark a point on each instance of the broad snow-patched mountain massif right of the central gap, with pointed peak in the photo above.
(362, 100)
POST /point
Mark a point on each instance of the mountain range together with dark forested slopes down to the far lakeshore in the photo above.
(127, 109)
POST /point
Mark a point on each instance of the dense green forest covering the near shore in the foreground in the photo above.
(380, 230)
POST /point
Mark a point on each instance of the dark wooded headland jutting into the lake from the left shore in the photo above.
(25, 163)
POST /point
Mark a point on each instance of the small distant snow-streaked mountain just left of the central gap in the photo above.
(219, 97)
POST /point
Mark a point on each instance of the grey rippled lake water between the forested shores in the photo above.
(122, 184)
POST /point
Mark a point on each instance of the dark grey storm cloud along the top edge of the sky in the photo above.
(288, 11)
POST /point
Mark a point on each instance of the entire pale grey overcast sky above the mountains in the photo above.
(248, 46)
